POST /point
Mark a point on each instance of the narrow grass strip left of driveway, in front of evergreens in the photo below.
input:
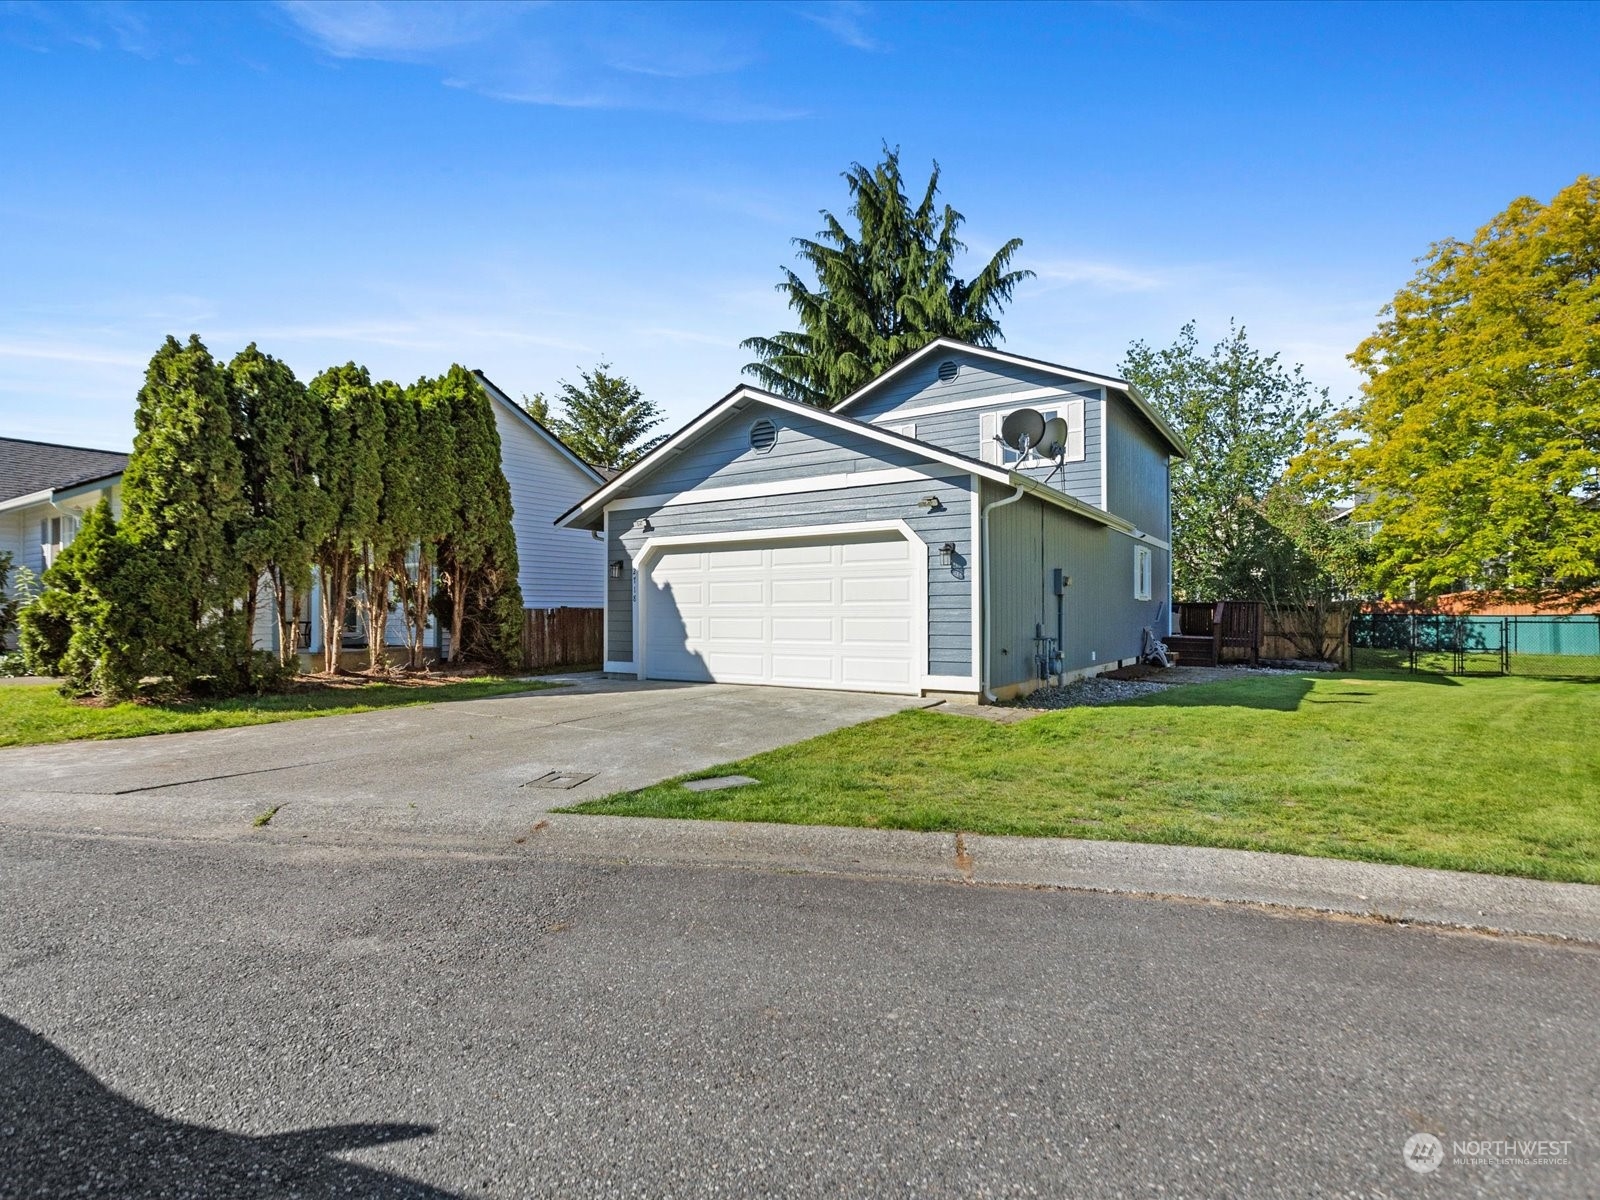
(36, 714)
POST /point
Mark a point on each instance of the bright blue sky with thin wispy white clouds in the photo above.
(530, 190)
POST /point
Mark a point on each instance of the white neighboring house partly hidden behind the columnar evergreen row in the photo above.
(46, 490)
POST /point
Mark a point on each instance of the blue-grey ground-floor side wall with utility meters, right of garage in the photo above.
(1103, 620)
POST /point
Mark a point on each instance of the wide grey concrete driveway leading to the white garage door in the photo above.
(460, 769)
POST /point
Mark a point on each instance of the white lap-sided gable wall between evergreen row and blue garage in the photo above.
(556, 567)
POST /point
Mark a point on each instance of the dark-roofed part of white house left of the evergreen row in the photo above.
(46, 490)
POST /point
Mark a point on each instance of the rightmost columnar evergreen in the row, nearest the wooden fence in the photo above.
(478, 559)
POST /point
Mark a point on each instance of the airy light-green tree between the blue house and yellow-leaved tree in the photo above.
(1244, 415)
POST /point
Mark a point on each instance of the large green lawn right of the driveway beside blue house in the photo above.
(1492, 775)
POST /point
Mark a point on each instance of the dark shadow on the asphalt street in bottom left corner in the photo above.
(66, 1134)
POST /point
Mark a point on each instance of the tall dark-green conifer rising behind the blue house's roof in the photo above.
(881, 292)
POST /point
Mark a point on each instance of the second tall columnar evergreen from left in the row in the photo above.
(281, 439)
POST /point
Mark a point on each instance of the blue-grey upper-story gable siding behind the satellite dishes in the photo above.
(902, 401)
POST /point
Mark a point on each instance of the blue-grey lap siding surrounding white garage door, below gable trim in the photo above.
(950, 586)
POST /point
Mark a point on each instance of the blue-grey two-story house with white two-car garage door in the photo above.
(894, 543)
